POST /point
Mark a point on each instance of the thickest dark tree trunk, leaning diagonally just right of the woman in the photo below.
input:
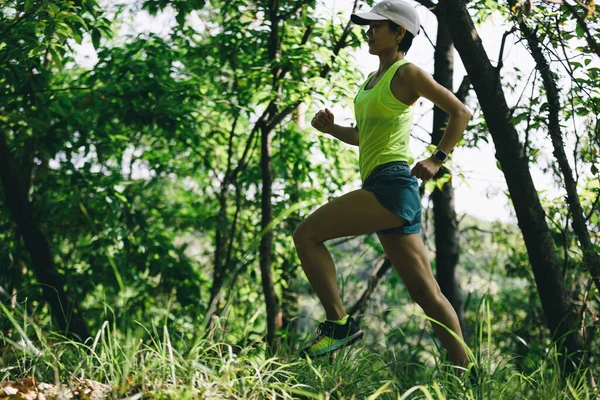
(554, 296)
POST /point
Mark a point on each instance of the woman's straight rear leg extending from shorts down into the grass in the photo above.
(409, 257)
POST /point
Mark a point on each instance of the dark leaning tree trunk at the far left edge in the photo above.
(65, 313)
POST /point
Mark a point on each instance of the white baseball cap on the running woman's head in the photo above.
(398, 11)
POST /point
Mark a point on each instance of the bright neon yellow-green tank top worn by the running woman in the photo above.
(383, 124)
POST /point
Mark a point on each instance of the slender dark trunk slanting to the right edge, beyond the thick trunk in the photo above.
(591, 258)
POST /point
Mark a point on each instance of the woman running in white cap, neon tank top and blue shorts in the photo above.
(388, 202)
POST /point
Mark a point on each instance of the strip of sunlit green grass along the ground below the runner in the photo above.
(156, 362)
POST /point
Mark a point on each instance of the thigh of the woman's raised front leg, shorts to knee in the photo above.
(354, 213)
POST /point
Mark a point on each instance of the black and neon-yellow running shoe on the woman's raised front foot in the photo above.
(332, 336)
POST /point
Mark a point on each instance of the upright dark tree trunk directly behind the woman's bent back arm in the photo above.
(444, 214)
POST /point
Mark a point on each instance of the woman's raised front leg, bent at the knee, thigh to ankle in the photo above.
(354, 213)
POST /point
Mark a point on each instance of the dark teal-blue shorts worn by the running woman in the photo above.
(397, 191)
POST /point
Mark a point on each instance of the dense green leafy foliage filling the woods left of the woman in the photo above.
(127, 160)
